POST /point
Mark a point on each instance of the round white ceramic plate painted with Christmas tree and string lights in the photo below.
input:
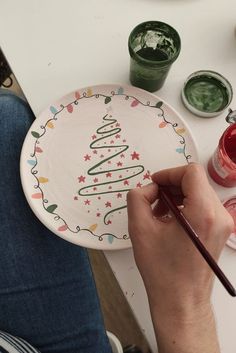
(84, 152)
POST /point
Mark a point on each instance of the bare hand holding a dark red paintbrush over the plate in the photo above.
(178, 281)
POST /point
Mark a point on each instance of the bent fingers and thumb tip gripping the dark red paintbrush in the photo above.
(188, 181)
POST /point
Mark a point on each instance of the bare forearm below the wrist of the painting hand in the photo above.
(181, 335)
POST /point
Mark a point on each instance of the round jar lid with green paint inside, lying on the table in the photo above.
(207, 93)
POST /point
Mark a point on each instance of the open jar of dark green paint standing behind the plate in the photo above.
(153, 47)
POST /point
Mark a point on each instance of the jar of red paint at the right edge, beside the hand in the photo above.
(222, 165)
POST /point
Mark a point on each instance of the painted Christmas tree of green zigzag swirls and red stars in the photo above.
(112, 170)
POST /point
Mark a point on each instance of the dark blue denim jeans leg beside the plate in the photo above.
(47, 291)
